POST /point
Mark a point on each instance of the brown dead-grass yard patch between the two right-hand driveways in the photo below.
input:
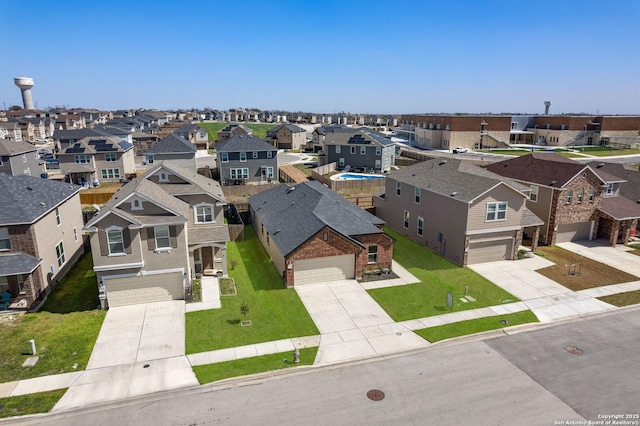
(578, 273)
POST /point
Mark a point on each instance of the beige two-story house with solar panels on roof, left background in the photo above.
(93, 160)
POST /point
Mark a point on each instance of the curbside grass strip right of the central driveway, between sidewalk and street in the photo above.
(463, 328)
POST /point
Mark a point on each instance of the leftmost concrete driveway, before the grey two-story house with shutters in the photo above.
(140, 350)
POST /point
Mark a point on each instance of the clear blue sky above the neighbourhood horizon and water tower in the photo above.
(323, 56)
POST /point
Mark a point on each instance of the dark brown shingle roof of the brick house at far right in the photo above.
(547, 169)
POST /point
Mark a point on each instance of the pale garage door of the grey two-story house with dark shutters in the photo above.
(144, 289)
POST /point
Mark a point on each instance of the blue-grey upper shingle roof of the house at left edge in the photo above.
(25, 199)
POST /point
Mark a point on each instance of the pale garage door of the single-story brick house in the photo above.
(323, 269)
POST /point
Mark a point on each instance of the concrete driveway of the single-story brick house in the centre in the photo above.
(352, 324)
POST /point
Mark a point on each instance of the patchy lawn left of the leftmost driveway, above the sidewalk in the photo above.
(63, 342)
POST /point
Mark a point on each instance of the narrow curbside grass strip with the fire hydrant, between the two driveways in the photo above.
(242, 367)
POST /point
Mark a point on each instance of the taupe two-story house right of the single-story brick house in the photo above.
(460, 211)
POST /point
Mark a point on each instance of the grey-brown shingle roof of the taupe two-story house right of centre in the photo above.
(446, 177)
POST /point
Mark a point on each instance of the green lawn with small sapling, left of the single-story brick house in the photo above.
(275, 312)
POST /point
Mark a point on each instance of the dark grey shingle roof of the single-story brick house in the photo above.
(294, 214)
